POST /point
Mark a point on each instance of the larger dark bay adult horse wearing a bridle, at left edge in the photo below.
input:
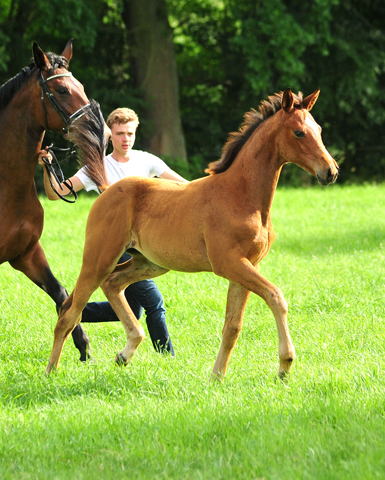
(42, 96)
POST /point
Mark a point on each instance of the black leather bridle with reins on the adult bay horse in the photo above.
(68, 121)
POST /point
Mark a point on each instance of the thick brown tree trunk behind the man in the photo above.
(155, 73)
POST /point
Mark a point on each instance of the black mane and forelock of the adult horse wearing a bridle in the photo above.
(9, 89)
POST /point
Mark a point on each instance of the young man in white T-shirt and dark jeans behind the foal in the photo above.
(124, 162)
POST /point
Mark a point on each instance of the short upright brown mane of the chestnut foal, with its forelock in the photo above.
(252, 120)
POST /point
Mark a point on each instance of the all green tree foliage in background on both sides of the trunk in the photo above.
(230, 54)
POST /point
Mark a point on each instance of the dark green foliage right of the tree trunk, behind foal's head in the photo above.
(234, 53)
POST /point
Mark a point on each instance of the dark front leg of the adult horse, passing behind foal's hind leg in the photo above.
(35, 266)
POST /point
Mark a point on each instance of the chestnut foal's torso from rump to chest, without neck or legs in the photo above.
(180, 226)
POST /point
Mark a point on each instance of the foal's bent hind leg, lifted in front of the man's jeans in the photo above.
(135, 269)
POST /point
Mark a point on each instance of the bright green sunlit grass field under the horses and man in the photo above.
(160, 417)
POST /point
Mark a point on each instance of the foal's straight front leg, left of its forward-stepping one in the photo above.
(237, 297)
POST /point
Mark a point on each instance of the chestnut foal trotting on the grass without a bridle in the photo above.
(220, 223)
